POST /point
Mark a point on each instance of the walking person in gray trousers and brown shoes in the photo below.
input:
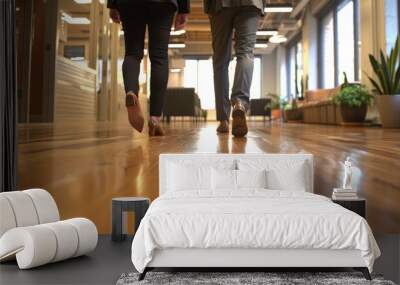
(242, 17)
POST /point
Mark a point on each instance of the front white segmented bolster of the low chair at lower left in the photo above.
(41, 244)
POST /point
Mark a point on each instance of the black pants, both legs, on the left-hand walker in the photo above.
(158, 17)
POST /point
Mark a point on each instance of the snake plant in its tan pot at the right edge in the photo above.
(387, 86)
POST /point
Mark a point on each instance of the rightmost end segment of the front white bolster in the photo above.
(87, 235)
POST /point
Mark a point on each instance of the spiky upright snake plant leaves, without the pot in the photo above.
(387, 70)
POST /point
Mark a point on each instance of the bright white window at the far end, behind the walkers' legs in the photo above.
(198, 74)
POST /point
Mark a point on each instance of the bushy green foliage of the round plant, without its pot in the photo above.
(353, 95)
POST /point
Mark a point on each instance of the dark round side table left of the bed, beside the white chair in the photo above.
(120, 206)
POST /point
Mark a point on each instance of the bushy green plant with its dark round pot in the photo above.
(353, 100)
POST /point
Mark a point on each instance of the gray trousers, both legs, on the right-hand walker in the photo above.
(244, 20)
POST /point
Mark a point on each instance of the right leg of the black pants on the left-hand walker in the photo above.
(159, 23)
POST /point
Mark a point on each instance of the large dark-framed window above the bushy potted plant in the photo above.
(339, 43)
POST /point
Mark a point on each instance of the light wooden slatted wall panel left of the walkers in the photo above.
(75, 92)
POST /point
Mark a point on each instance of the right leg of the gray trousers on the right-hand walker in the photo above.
(245, 24)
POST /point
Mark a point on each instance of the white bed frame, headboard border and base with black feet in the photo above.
(246, 259)
